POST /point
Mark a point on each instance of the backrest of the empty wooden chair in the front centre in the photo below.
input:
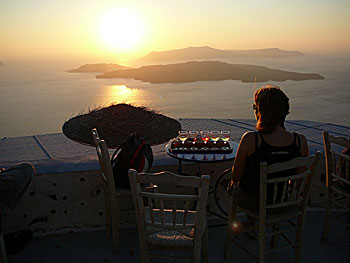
(169, 211)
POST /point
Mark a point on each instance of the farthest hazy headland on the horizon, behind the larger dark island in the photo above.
(205, 52)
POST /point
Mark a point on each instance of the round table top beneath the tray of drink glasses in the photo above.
(203, 156)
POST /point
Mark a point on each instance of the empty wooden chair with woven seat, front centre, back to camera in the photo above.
(171, 221)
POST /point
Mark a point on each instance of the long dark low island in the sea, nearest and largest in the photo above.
(206, 71)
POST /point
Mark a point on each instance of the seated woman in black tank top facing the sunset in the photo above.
(271, 143)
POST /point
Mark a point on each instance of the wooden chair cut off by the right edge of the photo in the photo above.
(337, 188)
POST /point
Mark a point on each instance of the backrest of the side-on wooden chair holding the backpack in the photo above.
(105, 165)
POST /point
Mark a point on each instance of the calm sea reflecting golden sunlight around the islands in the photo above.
(37, 98)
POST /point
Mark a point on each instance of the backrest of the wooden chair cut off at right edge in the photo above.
(336, 159)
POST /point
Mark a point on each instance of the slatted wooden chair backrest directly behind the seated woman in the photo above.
(287, 191)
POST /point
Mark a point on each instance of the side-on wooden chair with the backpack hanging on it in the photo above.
(114, 216)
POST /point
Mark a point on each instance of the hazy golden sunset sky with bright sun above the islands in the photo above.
(89, 29)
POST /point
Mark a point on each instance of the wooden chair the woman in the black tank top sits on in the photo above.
(287, 203)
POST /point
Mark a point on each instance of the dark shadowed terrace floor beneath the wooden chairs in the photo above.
(92, 245)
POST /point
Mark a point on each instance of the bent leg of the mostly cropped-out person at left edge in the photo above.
(13, 183)
